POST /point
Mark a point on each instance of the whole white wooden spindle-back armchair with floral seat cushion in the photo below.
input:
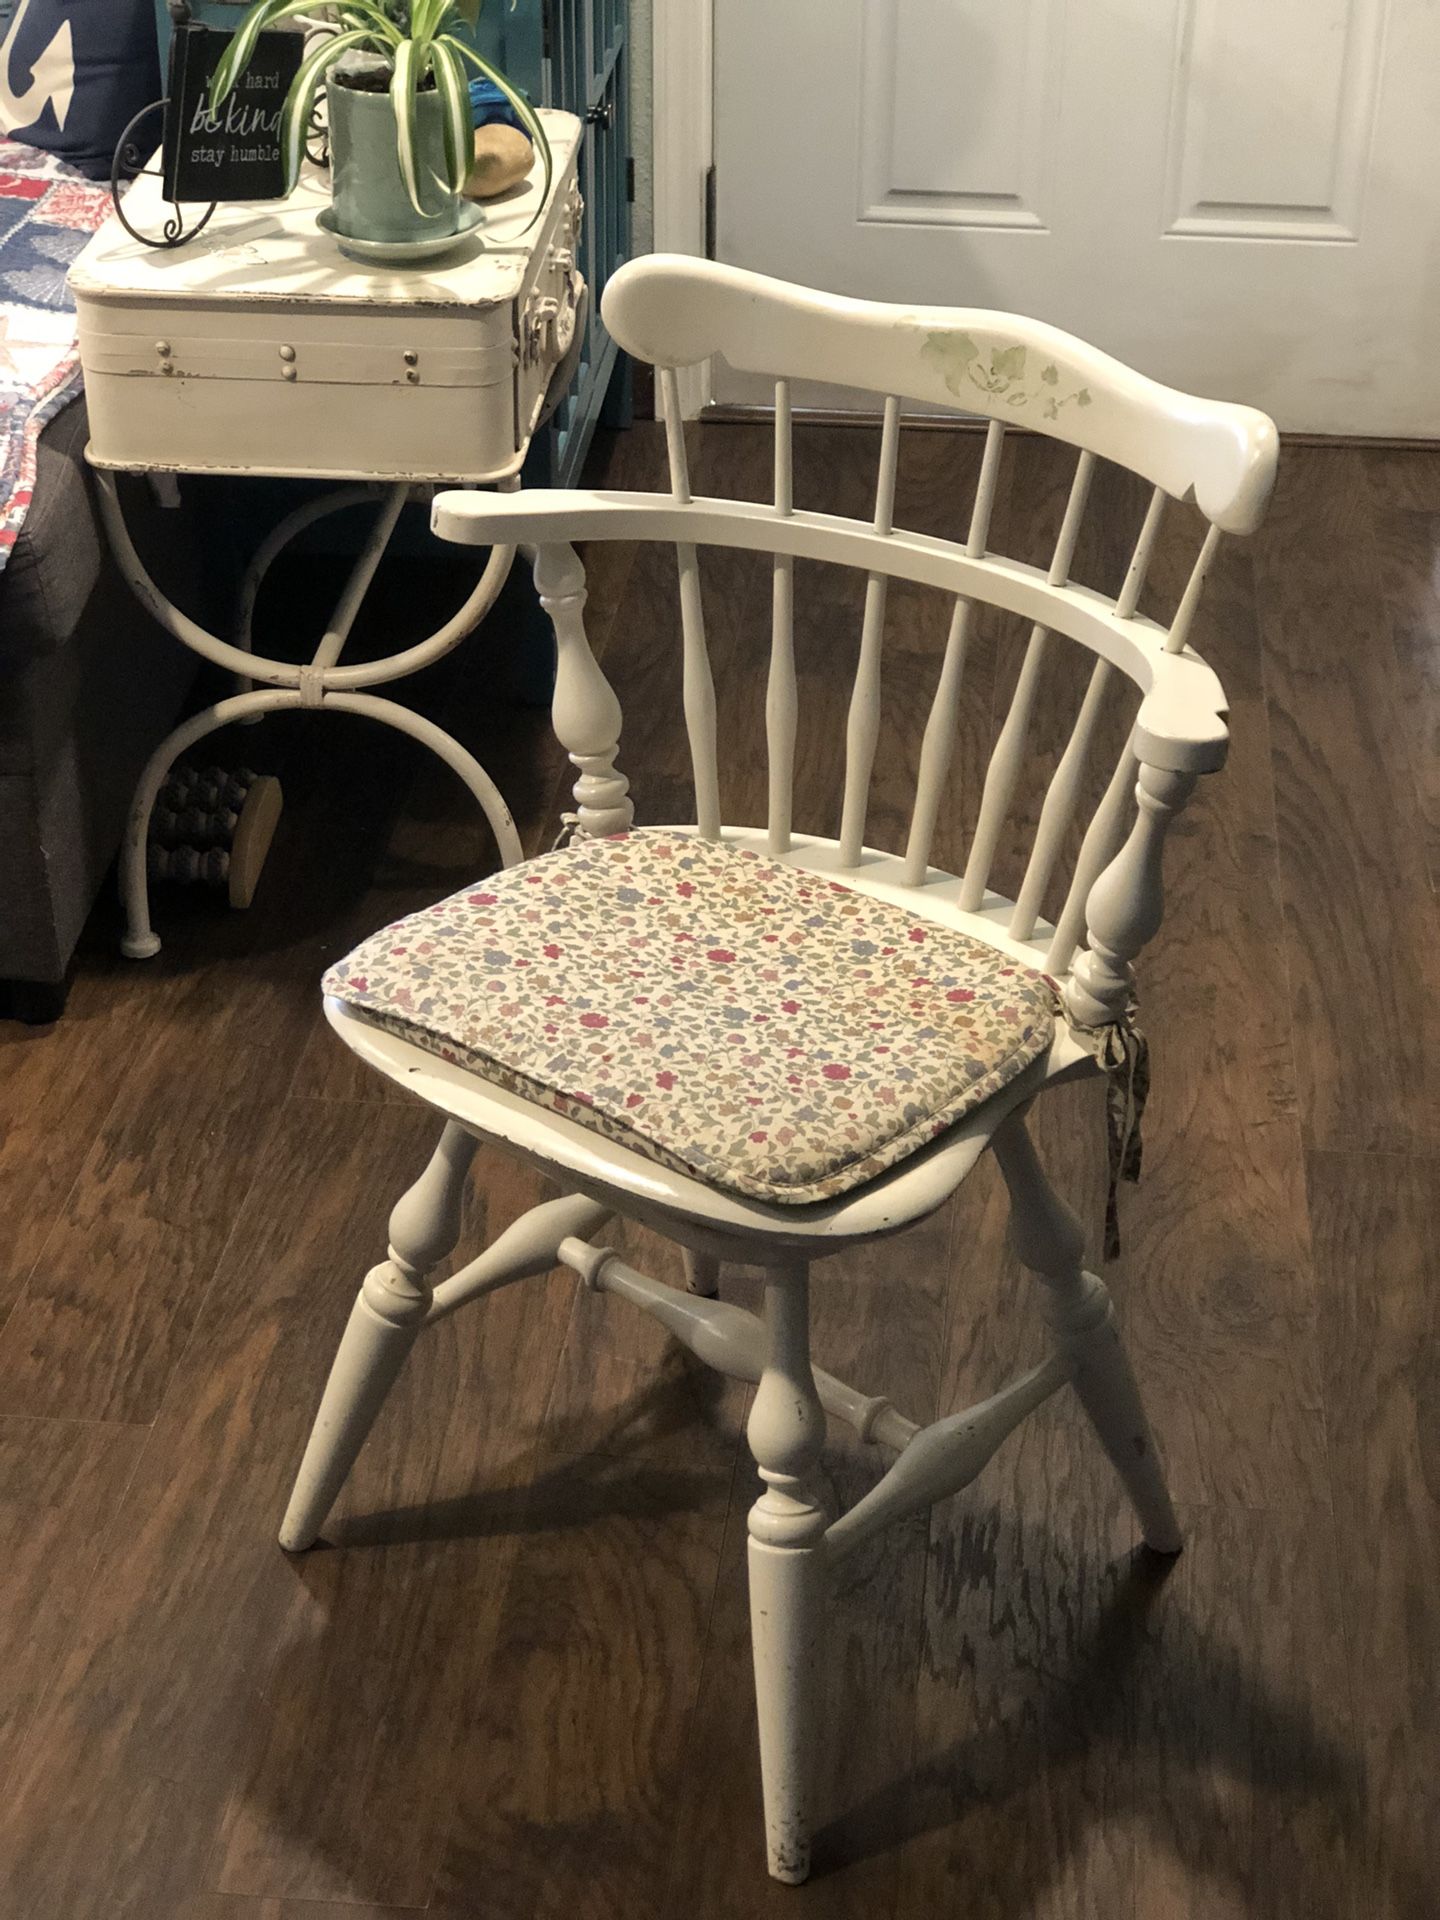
(677, 312)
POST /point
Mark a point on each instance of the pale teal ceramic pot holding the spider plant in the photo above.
(366, 181)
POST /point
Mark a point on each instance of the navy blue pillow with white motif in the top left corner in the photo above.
(74, 74)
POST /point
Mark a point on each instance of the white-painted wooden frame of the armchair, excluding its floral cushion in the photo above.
(679, 312)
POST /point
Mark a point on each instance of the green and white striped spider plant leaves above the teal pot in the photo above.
(420, 43)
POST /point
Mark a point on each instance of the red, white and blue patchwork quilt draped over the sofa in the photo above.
(47, 214)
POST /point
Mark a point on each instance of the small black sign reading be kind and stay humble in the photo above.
(233, 155)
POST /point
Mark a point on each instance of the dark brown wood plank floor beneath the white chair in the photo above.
(516, 1681)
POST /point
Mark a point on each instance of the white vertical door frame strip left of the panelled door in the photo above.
(684, 145)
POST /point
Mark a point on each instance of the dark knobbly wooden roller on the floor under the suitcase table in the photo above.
(214, 827)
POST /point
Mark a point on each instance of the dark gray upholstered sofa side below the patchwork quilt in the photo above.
(89, 684)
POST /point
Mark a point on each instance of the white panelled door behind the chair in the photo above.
(1237, 197)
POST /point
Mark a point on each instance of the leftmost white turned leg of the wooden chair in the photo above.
(383, 1328)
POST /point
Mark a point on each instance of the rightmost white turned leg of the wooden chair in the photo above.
(1082, 1320)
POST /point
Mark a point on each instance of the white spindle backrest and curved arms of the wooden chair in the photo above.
(675, 312)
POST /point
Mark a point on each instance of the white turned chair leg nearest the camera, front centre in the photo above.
(788, 1573)
